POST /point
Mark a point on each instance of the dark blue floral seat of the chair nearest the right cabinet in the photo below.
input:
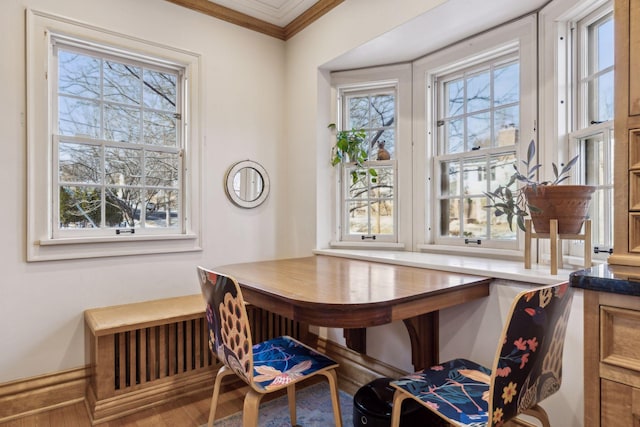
(456, 390)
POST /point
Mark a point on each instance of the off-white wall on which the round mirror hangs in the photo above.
(41, 304)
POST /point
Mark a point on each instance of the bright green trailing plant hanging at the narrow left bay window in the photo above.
(349, 148)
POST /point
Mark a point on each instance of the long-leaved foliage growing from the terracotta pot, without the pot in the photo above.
(513, 202)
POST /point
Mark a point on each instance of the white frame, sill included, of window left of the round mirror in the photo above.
(42, 243)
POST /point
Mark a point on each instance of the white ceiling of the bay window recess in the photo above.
(447, 23)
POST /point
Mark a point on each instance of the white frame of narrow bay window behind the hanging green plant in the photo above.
(397, 77)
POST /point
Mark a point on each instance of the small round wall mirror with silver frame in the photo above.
(247, 184)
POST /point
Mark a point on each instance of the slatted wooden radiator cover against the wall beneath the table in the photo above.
(145, 354)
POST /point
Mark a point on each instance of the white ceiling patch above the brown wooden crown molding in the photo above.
(277, 12)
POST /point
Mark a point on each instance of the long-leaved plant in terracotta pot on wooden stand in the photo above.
(542, 200)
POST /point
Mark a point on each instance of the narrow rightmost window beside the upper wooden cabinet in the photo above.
(592, 135)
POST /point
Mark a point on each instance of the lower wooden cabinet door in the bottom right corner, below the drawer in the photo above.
(620, 405)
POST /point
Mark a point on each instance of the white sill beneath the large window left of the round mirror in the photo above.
(108, 246)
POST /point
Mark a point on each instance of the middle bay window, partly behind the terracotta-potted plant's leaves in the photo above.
(474, 114)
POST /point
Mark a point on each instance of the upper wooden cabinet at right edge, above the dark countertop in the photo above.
(627, 134)
